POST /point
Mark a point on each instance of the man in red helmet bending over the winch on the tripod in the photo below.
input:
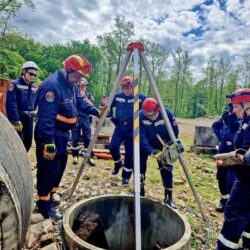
(151, 124)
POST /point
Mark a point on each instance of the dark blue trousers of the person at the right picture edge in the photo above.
(236, 218)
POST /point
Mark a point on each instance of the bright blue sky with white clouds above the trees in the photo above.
(203, 28)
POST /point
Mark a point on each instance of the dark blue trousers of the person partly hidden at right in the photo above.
(225, 177)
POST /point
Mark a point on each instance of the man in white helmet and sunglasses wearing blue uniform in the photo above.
(20, 103)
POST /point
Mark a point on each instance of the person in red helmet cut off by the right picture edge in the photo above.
(237, 210)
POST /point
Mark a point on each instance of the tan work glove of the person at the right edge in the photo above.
(229, 159)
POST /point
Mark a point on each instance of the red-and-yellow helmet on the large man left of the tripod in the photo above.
(79, 64)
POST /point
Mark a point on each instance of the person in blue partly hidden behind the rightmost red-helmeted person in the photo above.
(225, 129)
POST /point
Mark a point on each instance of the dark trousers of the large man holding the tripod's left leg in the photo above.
(49, 173)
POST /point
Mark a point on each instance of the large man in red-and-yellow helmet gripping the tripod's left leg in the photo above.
(58, 103)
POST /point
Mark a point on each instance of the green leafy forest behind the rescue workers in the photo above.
(172, 70)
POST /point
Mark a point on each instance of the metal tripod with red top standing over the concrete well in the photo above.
(137, 49)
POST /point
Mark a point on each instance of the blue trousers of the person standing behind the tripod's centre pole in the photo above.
(123, 134)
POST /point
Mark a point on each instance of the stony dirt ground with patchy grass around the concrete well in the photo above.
(98, 180)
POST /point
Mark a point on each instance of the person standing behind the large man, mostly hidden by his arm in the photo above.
(83, 124)
